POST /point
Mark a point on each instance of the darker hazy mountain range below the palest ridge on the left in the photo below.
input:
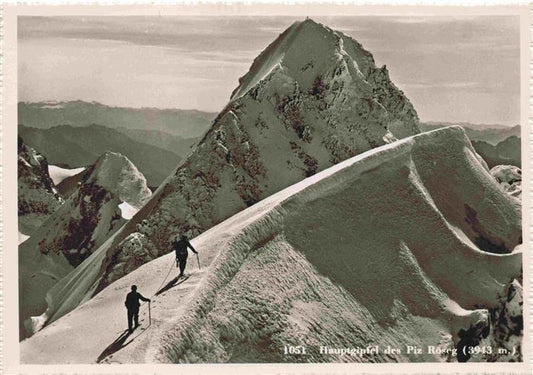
(70, 146)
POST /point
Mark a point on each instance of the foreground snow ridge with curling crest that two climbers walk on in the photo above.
(410, 243)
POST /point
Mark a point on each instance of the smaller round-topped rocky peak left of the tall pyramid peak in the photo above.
(78, 227)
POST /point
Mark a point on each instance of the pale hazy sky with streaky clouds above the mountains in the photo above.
(452, 69)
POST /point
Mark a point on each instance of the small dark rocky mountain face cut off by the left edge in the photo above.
(38, 197)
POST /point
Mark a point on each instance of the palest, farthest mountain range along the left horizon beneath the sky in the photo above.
(43, 115)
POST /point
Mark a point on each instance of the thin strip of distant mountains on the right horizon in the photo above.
(492, 133)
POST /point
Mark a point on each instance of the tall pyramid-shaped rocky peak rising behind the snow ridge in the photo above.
(313, 98)
